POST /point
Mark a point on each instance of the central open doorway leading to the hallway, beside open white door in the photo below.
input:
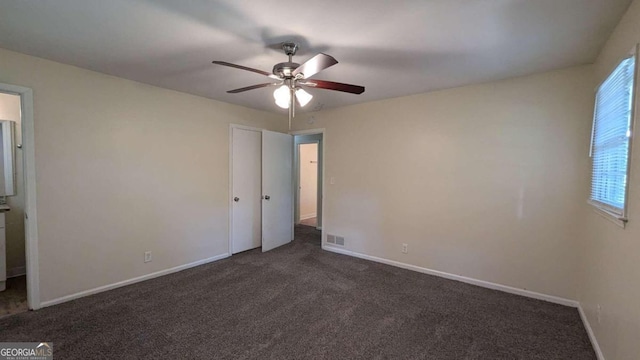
(308, 161)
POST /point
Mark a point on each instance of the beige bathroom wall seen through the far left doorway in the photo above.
(14, 219)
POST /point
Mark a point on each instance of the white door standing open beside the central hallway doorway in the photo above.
(277, 189)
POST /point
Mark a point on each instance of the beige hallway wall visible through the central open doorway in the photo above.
(308, 180)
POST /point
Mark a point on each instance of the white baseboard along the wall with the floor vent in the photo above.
(464, 279)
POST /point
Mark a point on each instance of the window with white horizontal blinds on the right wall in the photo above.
(611, 140)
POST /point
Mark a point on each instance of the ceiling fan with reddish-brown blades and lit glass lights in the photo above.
(292, 77)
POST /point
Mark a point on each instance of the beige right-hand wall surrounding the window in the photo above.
(611, 255)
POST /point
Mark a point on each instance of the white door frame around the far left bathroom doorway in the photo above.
(29, 166)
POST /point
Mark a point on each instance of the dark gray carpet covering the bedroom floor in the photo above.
(299, 302)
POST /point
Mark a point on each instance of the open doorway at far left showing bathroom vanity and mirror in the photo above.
(13, 268)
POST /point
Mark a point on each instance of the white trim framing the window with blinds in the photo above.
(600, 208)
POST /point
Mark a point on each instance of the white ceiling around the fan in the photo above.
(393, 48)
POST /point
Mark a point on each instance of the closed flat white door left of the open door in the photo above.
(246, 189)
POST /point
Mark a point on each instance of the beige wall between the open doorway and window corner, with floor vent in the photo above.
(484, 181)
